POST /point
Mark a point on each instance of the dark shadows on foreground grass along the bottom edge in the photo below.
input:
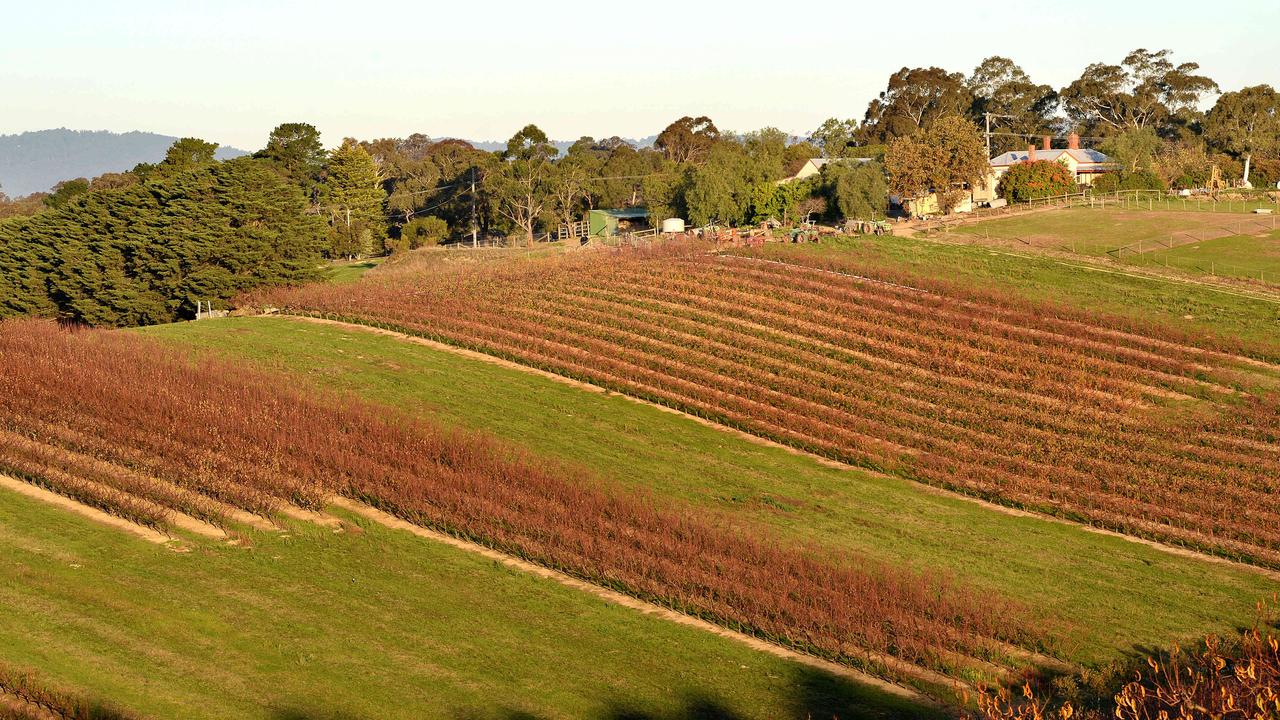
(812, 695)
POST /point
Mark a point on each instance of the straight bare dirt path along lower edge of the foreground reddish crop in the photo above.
(656, 610)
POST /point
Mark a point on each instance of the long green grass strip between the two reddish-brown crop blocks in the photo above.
(1116, 595)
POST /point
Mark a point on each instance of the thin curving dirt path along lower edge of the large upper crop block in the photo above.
(826, 462)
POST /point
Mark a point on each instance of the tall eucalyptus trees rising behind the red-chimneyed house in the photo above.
(1148, 98)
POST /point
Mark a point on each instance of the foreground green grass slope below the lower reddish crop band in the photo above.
(364, 626)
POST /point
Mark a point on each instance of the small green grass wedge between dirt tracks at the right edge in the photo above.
(1238, 257)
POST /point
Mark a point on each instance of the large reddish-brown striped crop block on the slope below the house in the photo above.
(1030, 405)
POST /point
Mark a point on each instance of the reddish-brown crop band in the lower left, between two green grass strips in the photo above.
(140, 418)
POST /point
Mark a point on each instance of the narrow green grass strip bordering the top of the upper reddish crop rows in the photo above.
(1195, 308)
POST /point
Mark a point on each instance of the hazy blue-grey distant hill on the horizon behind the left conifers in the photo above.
(35, 162)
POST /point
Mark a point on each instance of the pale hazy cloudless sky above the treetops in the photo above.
(228, 71)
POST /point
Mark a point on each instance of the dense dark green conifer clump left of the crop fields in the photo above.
(184, 231)
